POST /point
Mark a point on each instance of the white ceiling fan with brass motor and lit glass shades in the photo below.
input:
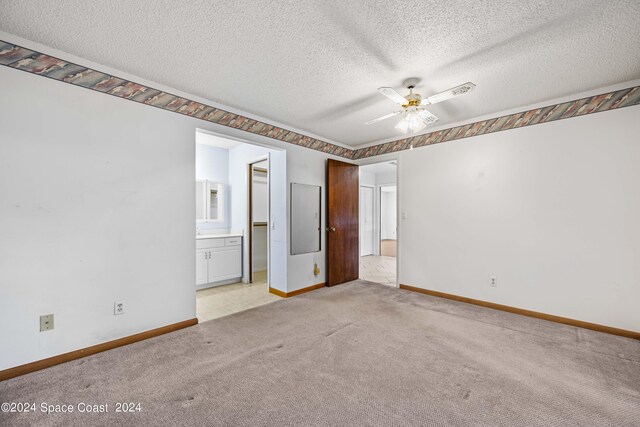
(415, 116)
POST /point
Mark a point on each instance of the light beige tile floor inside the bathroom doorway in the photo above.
(220, 301)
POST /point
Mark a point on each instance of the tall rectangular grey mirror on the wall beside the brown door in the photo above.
(305, 218)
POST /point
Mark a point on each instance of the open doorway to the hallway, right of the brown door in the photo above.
(378, 254)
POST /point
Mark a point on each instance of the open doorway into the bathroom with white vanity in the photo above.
(233, 188)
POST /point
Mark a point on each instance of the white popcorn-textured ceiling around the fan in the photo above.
(315, 66)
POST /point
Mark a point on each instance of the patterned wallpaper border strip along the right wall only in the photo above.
(593, 104)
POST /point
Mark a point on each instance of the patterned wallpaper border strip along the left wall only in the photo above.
(24, 59)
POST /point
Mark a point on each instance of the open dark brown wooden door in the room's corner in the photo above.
(342, 222)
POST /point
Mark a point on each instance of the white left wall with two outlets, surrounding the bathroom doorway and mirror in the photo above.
(97, 204)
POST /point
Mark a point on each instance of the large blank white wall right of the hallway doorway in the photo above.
(550, 210)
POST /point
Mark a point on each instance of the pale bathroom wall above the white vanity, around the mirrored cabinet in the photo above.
(212, 163)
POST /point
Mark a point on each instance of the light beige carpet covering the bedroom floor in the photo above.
(359, 354)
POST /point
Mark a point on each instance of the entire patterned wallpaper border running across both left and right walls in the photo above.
(24, 59)
